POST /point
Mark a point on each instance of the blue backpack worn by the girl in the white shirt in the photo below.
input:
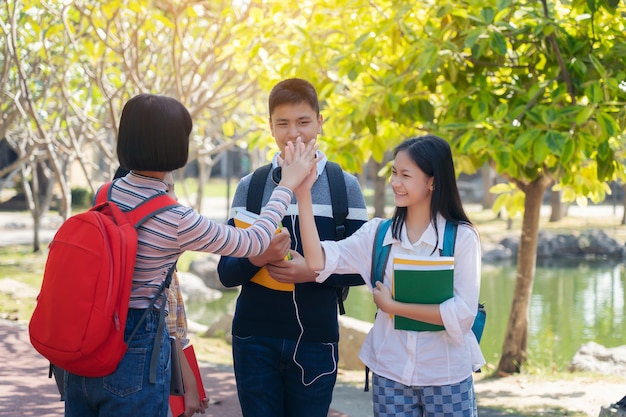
(380, 256)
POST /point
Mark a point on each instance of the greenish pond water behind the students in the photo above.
(573, 302)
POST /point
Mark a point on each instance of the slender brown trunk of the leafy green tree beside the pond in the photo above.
(516, 337)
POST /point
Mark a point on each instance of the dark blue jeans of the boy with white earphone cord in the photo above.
(271, 384)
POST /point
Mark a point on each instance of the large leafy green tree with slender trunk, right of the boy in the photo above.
(535, 90)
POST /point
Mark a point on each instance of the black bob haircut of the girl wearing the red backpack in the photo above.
(153, 134)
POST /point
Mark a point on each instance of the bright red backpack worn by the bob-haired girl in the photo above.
(79, 320)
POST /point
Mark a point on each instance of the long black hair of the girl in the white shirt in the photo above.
(434, 157)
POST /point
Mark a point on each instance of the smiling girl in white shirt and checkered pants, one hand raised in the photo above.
(415, 373)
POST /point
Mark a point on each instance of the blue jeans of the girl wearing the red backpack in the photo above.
(127, 391)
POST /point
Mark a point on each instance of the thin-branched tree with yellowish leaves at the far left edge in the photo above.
(46, 135)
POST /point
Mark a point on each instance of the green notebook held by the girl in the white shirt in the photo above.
(421, 280)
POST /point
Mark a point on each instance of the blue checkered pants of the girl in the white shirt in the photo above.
(391, 398)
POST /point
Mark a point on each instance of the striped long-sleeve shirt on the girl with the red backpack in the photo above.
(164, 237)
